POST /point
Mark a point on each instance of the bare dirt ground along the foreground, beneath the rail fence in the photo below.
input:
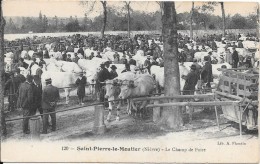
(78, 124)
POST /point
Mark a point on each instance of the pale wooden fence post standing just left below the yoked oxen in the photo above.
(99, 126)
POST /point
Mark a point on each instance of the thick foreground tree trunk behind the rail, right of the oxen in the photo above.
(171, 116)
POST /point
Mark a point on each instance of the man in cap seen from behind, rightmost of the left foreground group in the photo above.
(50, 96)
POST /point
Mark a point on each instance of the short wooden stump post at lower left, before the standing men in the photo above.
(35, 126)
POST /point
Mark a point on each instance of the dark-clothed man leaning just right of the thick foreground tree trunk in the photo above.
(190, 81)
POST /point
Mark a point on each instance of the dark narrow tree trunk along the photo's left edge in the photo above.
(2, 25)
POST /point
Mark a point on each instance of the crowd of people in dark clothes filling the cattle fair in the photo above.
(28, 94)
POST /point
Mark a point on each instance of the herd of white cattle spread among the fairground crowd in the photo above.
(128, 84)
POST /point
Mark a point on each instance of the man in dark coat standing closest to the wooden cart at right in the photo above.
(206, 72)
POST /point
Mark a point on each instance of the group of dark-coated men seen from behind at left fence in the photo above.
(28, 95)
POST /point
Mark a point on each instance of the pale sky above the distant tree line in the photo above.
(67, 8)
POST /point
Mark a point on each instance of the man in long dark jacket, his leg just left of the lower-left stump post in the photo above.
(25, 101)
